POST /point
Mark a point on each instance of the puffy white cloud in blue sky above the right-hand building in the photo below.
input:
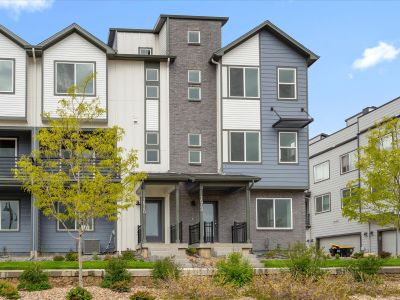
(375, 55)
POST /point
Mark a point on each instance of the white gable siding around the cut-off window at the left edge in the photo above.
(13, 105)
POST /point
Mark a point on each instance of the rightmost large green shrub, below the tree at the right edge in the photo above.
(364, 269)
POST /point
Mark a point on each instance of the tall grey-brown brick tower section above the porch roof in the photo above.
(189, 116)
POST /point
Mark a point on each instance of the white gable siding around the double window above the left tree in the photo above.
(77, 49)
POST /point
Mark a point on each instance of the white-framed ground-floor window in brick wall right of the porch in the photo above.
(274, 213)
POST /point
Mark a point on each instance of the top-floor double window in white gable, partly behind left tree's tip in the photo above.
(69, 74)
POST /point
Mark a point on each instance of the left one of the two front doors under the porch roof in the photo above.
(154, 221)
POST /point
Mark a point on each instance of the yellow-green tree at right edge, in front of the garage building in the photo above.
(375, 197)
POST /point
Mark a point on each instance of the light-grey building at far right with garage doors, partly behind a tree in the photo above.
(332, 166)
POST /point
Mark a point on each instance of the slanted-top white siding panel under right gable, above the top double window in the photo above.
(247, 53)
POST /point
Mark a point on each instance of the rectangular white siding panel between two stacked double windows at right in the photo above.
(241, 114)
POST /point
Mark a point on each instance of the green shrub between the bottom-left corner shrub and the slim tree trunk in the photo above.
(34, 279)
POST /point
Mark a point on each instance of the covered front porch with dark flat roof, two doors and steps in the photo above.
(210, 212)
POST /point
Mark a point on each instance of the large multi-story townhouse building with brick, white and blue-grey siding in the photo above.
(222, 133)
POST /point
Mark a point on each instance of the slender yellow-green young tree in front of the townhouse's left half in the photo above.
(78, 175)
